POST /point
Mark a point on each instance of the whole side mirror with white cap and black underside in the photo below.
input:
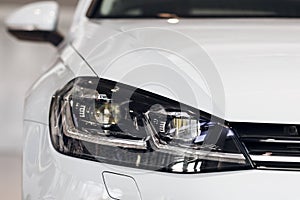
(36, 22)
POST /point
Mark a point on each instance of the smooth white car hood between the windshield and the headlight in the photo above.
(239, 69)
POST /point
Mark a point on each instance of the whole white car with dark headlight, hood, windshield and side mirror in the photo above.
(164, 100)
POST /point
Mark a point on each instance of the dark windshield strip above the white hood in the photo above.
(193, 8)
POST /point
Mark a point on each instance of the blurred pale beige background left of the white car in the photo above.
(21, 63)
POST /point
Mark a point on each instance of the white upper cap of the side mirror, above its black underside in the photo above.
(38, 16)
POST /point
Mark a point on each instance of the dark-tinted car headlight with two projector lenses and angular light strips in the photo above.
(114, 123)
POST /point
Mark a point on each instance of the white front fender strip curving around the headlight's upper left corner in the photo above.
(68, 66)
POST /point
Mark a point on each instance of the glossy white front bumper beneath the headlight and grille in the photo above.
(50, 175)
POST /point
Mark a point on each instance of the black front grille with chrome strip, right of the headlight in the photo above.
(271, 145)
